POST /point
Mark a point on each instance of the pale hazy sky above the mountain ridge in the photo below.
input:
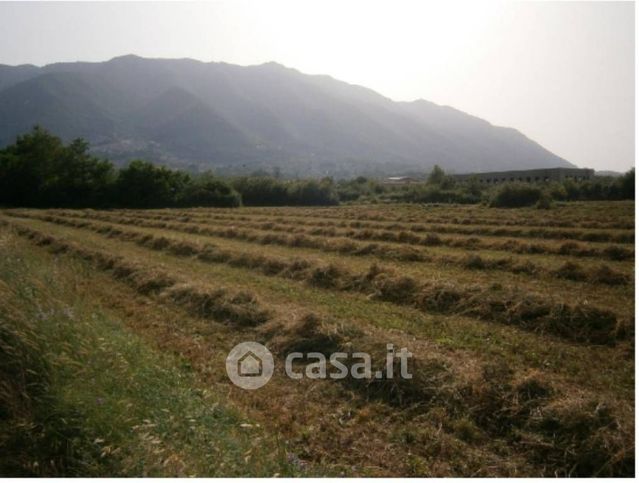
(562, 73)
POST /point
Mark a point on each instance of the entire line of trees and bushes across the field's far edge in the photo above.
(39, 170)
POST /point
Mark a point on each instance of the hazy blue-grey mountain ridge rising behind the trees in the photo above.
(195, 115)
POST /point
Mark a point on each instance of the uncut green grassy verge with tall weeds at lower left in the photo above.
(81, 395)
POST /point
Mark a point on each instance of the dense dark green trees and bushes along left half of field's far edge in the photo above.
(39, 170)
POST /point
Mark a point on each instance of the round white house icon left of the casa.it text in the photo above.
(249, 365)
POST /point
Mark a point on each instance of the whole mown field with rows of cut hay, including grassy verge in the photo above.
(521, 323)
